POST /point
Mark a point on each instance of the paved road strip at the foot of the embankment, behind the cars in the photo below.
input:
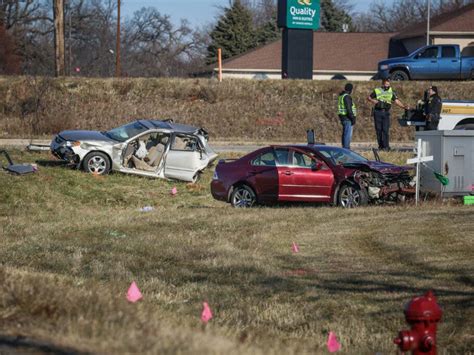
(219, 147)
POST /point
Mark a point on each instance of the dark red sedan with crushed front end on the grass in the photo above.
(309, 173)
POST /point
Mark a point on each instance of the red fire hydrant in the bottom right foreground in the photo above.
(423, 314)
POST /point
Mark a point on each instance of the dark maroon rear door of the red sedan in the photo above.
(263, 176)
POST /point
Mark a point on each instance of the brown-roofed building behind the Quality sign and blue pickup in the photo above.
(354, 56)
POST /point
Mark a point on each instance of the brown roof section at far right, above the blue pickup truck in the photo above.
(460, 20)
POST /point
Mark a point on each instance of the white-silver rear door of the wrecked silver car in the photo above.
(184, 158)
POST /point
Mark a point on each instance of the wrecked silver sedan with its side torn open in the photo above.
(152, 148)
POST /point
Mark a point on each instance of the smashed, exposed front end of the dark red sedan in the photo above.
(384, 184)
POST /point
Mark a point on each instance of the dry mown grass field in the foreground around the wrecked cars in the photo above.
(71, 244)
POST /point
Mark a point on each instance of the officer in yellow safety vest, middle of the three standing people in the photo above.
(383, 98)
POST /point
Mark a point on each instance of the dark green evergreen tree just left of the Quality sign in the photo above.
(234, 33)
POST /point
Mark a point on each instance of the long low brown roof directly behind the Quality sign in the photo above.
(332, 51)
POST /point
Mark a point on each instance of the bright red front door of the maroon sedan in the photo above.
(305, 178)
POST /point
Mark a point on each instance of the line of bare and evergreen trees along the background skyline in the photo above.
(152, 45)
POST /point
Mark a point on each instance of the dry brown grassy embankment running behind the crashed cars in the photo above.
(234, 110)
